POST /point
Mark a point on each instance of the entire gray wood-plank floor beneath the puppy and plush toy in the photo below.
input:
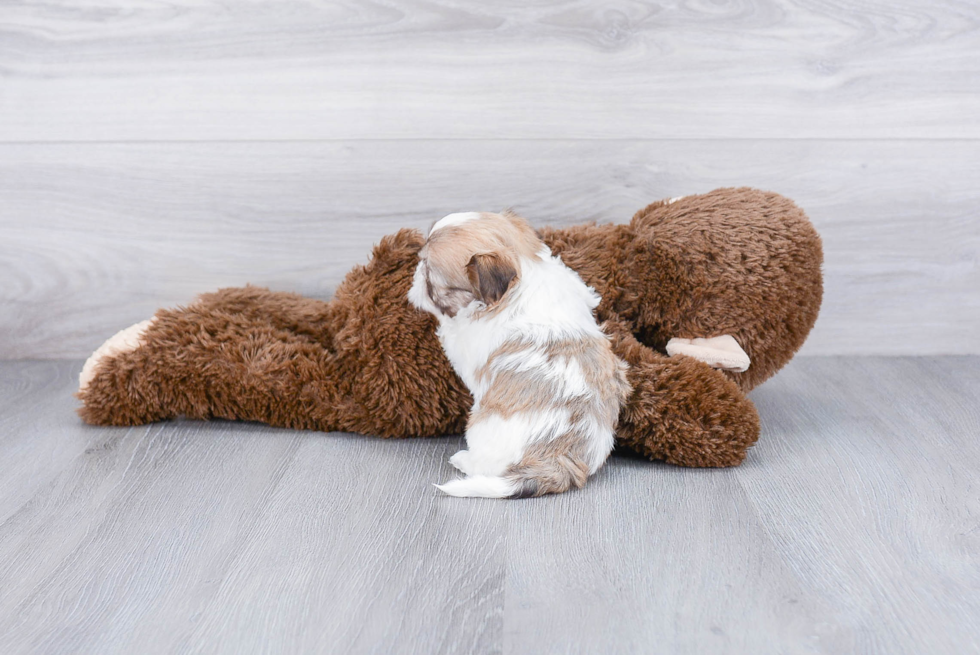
(853, 527)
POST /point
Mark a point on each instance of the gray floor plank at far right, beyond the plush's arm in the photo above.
(869, 492)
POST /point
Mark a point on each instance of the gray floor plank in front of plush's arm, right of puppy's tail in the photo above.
(653, 558)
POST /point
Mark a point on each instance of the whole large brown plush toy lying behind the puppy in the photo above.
(730, 278)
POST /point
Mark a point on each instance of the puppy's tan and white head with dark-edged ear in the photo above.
(471, 257)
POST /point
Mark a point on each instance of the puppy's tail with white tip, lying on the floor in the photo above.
(524, 480)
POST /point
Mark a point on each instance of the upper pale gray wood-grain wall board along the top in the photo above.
(181, 70)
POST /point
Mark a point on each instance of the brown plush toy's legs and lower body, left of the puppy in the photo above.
(365, 362)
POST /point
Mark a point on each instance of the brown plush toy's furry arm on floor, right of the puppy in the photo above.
(681, 410)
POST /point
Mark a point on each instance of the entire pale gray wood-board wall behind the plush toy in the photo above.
(152, 151)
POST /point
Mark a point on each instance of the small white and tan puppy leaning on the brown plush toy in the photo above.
(517, 326)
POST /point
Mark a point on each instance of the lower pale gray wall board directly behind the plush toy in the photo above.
(97, 237)
